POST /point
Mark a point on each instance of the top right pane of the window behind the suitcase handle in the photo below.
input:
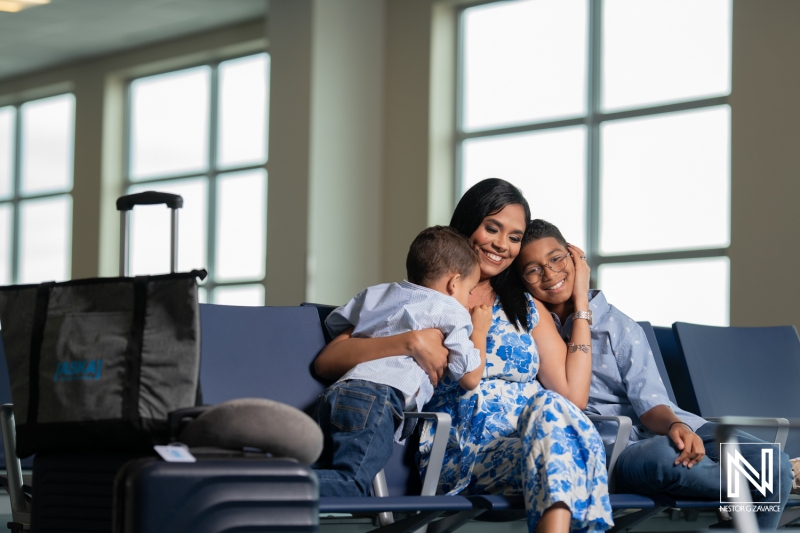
(243, 97)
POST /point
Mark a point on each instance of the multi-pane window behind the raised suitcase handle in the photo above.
(202, 133)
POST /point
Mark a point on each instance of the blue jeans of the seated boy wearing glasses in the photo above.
(647, 468)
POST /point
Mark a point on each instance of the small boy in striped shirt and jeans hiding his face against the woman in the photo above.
(362, 412)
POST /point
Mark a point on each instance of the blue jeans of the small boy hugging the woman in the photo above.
(358, 420)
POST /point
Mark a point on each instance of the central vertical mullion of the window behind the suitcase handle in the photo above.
(213, 143)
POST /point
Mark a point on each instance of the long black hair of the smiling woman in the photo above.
(486, 198)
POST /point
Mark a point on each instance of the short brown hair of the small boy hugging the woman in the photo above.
(437, 251)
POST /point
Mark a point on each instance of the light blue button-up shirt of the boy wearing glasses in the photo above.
(625, 378)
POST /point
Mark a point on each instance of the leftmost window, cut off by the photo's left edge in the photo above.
(36, 152)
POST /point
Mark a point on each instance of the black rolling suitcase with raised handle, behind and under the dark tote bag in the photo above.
(73, 491)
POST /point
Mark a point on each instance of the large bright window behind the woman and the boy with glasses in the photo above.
(612, 117)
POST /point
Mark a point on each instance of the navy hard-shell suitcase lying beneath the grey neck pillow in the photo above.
(215, 496)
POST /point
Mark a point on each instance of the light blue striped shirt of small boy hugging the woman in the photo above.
(393, 308)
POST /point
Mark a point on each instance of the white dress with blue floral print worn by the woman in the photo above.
(512, 436)
